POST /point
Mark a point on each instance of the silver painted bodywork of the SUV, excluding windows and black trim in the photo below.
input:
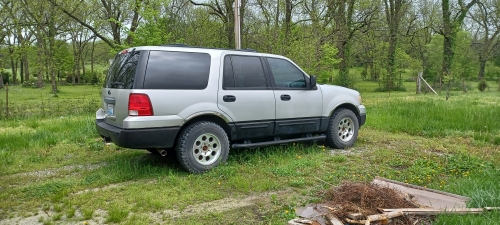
(175, 107)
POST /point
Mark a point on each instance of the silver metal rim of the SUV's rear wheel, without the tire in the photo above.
(206, 149)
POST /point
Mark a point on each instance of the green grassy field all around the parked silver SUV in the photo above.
(54, 169)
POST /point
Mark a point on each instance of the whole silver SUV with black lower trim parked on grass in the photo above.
(202, 102)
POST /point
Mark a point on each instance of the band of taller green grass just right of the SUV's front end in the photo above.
(472, 114)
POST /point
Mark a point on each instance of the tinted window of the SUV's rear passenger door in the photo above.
(243, 72)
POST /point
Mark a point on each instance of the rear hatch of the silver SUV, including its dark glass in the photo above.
(122, 77)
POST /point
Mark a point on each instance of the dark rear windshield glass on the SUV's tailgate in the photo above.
(121, 73)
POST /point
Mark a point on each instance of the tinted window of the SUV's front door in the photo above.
(286, 75)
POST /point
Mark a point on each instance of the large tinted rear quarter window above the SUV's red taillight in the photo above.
(177, 70)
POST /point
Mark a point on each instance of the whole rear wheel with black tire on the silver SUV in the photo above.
(202, 146)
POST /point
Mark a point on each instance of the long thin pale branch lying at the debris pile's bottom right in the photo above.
(430, 212)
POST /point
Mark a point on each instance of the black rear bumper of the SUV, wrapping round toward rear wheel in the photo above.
(138, 138)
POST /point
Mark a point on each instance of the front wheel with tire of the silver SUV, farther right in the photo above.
(342, 129)
